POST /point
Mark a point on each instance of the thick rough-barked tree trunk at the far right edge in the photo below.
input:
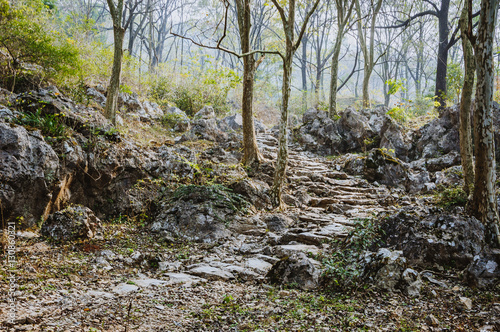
(484, 204)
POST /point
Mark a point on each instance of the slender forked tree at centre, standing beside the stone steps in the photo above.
(291, 45)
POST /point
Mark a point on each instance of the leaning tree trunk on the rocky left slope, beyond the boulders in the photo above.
(114, 83)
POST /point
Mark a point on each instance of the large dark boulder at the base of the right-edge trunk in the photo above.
(442, 238)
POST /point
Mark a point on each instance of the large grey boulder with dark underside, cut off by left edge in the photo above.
(29, 170)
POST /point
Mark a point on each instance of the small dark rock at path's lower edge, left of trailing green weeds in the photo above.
(296, 270)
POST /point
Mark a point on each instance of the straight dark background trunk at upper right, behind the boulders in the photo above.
(442, 60)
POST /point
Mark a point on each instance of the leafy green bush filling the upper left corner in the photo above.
(26, 37)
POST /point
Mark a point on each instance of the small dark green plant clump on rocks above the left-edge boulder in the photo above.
(50, 124)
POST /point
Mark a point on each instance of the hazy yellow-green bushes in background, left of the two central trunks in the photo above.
(194, 89)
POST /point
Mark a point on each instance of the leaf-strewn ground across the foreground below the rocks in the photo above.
(60, 289)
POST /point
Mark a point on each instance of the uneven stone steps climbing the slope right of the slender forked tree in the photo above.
(327, 201)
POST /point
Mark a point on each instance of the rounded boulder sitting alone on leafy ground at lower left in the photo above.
(74, 222)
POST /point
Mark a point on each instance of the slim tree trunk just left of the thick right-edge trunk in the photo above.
(466, 101)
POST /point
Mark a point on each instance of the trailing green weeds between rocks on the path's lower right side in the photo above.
(342, 268)
